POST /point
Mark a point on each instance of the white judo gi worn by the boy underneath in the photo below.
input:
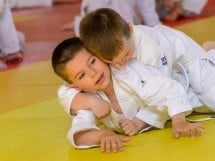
(146, 94)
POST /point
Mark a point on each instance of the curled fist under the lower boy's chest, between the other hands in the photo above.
(129, 127)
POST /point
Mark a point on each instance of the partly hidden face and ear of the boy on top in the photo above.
(125, 55)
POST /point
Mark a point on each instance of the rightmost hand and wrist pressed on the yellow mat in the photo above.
(180, 127)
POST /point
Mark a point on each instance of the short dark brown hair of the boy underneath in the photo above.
(63, 53)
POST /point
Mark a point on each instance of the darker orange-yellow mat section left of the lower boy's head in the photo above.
(27, 85)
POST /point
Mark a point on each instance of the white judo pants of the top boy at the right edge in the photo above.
(202, 79)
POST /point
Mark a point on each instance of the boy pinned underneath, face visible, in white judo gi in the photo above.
(129, 97)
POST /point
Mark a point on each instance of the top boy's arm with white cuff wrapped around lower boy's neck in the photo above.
(72, 99)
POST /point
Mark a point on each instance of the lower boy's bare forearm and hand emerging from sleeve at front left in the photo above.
(109, 141)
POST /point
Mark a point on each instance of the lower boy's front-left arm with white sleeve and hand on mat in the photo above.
(85, 133)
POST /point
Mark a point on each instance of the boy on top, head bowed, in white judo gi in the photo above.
(112, 39)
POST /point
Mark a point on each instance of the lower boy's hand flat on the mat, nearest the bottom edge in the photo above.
(111, 142)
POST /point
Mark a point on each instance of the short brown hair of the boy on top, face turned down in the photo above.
(103, 31)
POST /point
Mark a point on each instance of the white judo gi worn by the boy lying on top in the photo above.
(169, 50)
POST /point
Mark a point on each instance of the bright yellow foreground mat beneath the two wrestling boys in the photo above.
(38, 133)
